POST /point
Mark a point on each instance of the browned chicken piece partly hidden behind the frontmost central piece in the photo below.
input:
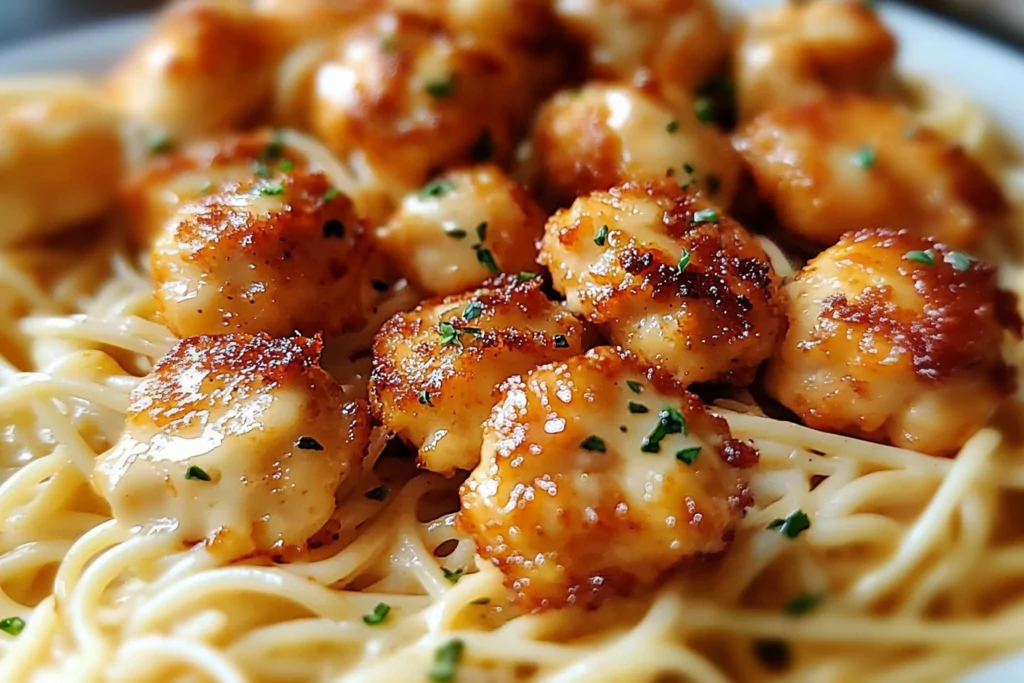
(436, 368)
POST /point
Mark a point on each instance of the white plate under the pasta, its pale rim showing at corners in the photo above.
(943, 53)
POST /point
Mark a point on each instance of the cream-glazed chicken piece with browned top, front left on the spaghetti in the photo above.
(237, 441)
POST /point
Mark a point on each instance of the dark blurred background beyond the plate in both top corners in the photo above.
(21, 20)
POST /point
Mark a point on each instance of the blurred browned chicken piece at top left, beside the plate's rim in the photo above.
(207, 68)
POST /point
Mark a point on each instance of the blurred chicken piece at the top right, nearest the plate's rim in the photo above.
(798, 53)
